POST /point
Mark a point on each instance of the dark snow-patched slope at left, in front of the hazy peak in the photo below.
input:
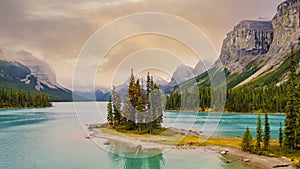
(15, 75)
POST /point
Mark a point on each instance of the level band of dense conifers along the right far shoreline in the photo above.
(270, 98)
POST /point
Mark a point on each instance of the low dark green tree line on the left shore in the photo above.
(21, 99)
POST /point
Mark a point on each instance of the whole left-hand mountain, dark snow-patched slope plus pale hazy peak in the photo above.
(23, 71)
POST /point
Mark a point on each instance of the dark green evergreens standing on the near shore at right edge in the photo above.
(289, 138)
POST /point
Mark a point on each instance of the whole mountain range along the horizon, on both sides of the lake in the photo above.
(255, 52)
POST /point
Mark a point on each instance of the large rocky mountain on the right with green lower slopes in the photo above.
(257, 51)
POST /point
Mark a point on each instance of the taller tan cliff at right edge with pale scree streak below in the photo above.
(286, 24)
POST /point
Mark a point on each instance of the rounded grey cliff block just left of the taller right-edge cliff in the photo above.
(248, 39)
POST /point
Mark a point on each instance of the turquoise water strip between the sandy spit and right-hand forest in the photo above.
(229, 124)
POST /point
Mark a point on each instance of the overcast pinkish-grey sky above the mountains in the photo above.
(57, 30)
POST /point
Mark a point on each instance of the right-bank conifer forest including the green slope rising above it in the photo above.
(263, 95)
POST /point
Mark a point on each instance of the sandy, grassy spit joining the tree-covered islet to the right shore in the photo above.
(165, 142)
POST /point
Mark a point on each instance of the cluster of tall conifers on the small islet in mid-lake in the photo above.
(141, 109)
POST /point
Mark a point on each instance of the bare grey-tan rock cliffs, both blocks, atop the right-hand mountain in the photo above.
(265, 42)
